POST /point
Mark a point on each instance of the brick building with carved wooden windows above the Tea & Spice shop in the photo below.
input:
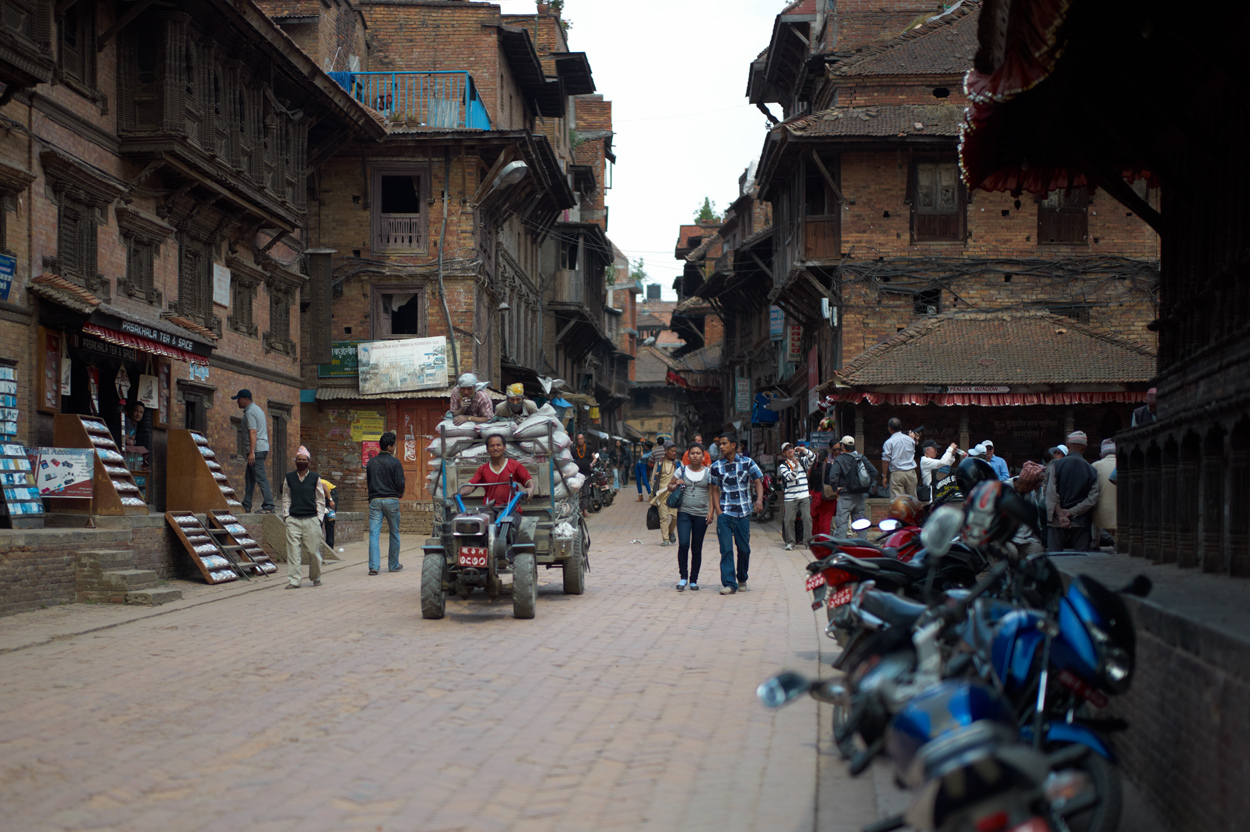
(156, 167)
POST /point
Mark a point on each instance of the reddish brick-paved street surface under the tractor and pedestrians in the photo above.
(251, 708)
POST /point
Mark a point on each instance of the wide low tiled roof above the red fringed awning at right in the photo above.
(1014, 349)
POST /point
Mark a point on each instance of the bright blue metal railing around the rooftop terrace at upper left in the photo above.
(431, 101)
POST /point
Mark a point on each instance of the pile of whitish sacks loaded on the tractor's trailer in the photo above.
(467, 445)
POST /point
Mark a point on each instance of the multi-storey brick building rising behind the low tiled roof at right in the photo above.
(873, 230)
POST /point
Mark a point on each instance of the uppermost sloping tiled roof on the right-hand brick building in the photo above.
(942, 47)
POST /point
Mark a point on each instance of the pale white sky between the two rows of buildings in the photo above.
(676, 73)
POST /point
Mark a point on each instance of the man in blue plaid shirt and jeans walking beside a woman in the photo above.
(731, 507)
